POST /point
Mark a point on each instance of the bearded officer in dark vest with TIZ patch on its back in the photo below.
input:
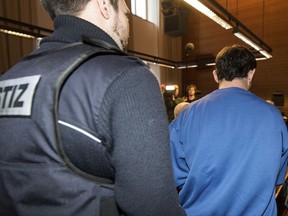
(112, 156)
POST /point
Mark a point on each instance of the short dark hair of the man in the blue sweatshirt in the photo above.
(234, 62)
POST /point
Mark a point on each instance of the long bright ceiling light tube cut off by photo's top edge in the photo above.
(209, 13)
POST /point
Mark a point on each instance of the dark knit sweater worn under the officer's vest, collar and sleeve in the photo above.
(131, 122)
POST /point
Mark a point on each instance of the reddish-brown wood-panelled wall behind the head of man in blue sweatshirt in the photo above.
(268, 19)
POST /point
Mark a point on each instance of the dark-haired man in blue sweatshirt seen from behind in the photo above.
(229, 148)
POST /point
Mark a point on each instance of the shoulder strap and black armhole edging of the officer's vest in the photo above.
(69, 57)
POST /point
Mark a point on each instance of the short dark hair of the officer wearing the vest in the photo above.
(68, 7)
